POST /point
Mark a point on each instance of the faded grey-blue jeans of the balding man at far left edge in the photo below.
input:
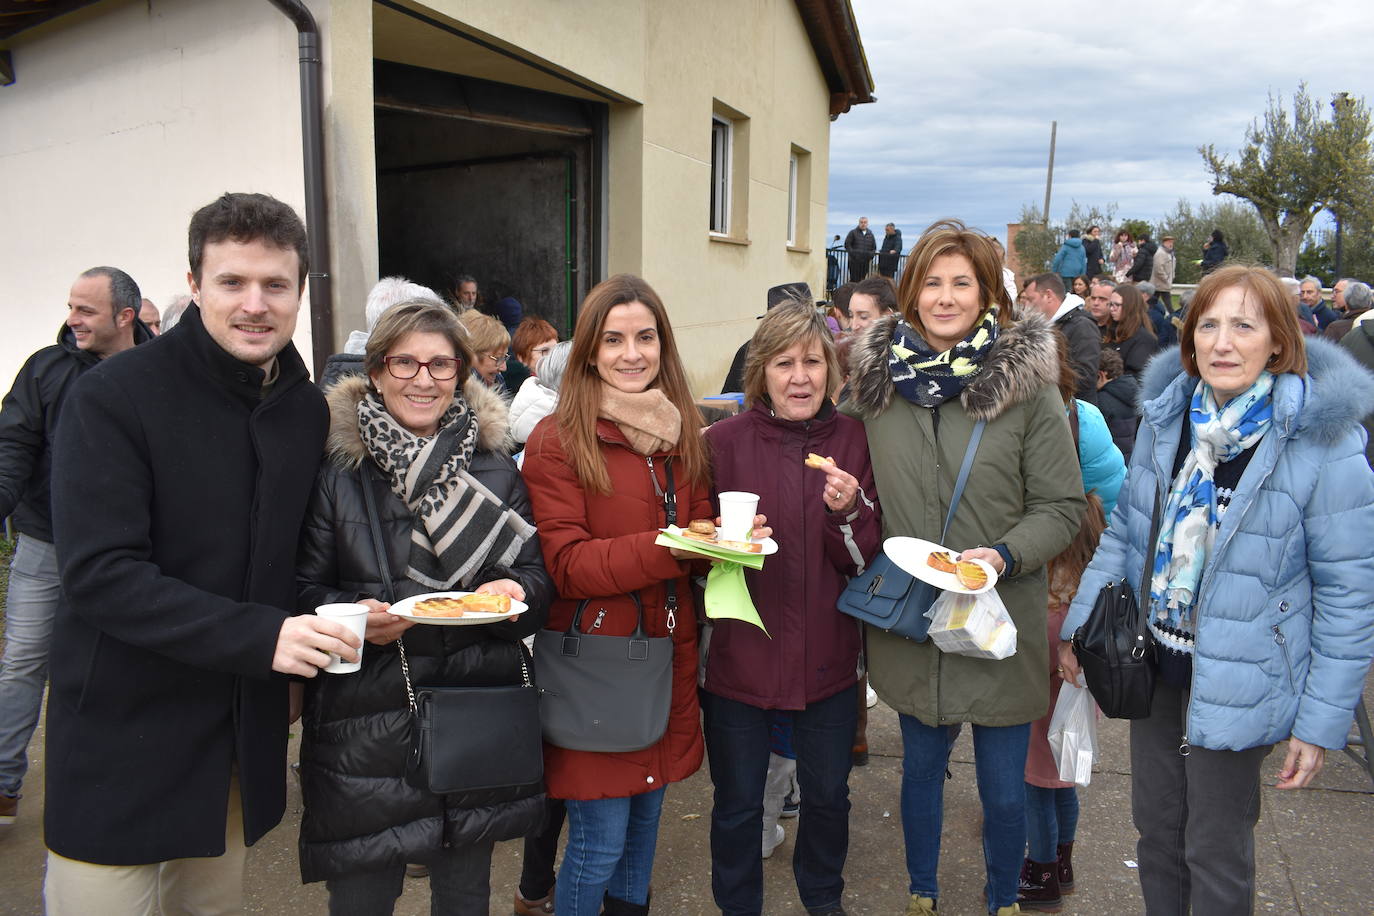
(35, 590)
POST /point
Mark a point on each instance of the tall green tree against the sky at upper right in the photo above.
(1291, 171)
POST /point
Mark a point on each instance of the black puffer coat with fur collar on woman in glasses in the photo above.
(361, 814)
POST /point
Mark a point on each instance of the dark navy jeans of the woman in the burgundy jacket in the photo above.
(739, 746)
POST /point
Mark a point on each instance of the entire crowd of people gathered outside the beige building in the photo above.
(188, 501)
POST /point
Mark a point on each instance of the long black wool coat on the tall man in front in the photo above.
(178, 501)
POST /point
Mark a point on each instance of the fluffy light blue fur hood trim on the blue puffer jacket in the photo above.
(1333, 396)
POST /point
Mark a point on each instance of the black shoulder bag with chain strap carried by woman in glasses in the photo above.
(466, 740)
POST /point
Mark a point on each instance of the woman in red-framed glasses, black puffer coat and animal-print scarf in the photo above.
(431, 454)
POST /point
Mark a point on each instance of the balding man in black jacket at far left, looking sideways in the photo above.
(101, 322)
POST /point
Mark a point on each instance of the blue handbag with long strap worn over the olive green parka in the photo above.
(890, 598)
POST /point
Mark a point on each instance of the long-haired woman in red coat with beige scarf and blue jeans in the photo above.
(598, 473)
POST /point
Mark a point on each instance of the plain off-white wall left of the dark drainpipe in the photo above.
(123, 122)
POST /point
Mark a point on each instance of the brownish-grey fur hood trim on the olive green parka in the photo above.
(1024, 359)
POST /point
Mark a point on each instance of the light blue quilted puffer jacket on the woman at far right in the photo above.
(1285, 630)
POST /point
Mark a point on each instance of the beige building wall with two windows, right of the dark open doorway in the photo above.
(675, 65)
